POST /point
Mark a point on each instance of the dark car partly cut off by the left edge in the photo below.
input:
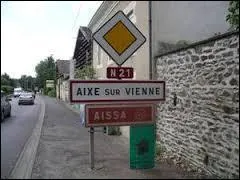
(5, 106)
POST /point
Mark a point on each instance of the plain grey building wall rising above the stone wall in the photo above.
(173, 21)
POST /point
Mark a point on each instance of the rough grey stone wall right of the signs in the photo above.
(199, 121)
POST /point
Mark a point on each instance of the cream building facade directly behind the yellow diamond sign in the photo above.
(140, 60)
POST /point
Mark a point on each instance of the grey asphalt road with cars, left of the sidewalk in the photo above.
(15, 132)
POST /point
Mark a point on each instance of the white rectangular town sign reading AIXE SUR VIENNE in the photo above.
(86, 91)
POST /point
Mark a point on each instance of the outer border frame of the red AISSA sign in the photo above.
(120, 124)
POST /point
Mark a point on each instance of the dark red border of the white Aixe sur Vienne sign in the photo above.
(115, 81)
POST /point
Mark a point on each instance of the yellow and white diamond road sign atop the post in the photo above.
(119, 38)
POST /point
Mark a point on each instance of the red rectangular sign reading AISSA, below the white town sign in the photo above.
(118, 114)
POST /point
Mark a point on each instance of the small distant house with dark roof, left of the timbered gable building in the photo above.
(62, 73)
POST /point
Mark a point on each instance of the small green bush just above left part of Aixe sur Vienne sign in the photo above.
(87, 72)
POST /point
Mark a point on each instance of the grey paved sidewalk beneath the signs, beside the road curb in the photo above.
(63, 151)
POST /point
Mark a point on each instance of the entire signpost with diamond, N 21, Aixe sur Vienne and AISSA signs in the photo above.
(119, 38)
